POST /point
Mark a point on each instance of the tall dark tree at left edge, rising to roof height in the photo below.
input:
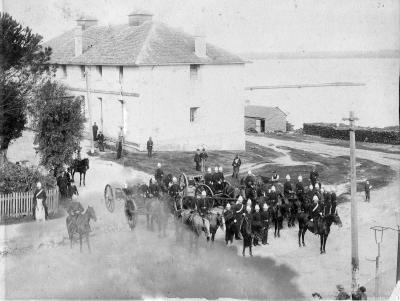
(22, 66)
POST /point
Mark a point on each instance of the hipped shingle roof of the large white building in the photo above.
(151, 43)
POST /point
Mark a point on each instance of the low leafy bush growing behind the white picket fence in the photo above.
(15, 178)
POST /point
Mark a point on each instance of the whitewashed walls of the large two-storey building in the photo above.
(163, 108)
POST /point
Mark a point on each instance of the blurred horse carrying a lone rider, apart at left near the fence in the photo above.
(80, 224)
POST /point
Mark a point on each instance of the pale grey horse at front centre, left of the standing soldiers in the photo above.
(196, 225)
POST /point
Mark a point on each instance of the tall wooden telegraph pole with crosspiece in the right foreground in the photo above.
(354, 216)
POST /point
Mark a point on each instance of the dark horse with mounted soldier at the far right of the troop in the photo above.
(322, 229)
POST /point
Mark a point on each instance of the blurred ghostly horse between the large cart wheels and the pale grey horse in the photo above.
(158, 212)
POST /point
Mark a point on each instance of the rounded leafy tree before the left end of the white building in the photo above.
(59, 122)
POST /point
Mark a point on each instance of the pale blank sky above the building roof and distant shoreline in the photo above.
(237, 25)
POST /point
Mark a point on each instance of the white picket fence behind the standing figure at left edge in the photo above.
(19, 204)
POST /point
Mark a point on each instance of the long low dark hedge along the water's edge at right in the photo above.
(362, 134)
